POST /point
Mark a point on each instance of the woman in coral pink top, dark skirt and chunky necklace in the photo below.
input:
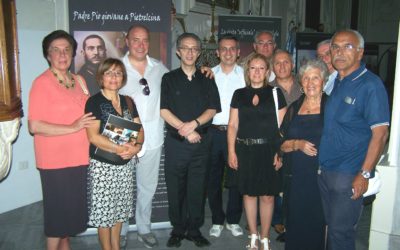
(57, 122)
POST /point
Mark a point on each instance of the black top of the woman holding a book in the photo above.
(101, 108)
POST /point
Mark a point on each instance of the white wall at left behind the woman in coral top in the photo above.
(35, 19)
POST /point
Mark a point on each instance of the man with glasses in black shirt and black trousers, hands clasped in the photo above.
(189, 101)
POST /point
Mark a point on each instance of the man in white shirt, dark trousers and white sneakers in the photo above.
(228, 76)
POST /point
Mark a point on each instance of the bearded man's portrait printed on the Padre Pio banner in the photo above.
(94, 51)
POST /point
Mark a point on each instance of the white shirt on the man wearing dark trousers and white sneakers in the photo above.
(227, 84)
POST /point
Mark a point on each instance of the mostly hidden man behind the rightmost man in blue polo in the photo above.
(324, 54)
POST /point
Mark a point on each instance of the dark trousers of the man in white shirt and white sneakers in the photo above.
(218, 161)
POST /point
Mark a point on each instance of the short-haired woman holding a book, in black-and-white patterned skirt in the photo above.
(110, 173)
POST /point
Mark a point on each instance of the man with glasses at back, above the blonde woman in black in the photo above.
(264, 44)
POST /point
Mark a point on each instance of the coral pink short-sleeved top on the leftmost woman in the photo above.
(51, 102)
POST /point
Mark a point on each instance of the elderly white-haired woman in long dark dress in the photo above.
(302, 127)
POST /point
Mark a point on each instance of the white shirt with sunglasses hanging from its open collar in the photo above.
(148, 106)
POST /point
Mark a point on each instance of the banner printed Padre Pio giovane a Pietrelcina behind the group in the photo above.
(110, 20)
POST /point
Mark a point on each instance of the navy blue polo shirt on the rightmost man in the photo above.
(357, 104)
